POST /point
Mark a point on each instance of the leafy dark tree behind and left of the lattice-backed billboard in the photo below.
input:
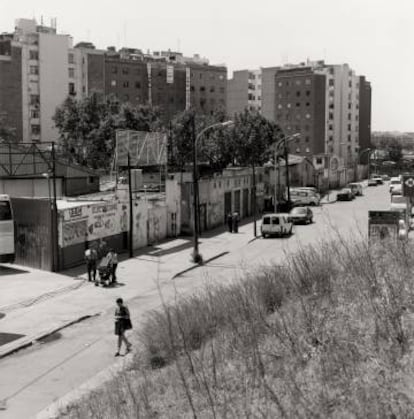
(87, 127)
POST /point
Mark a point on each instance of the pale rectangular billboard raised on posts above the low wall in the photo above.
(144, 148)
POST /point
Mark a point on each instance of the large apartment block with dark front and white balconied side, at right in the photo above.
(329, 105)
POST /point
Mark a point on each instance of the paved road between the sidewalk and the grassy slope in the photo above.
(32, 379)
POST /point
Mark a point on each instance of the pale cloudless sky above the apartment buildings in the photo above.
(375, 37)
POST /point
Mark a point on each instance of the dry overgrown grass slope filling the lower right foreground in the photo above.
(322, 337)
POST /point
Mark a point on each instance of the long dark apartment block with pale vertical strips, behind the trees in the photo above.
(166, 79)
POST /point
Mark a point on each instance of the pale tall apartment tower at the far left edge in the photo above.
(37, 72)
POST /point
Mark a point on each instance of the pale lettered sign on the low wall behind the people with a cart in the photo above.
(93, 222)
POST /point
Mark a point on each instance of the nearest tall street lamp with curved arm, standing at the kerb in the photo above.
(196, 256)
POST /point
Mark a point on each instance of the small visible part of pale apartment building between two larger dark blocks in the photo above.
(244, 91)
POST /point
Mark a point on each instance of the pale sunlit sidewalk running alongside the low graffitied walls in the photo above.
(35, 304)
